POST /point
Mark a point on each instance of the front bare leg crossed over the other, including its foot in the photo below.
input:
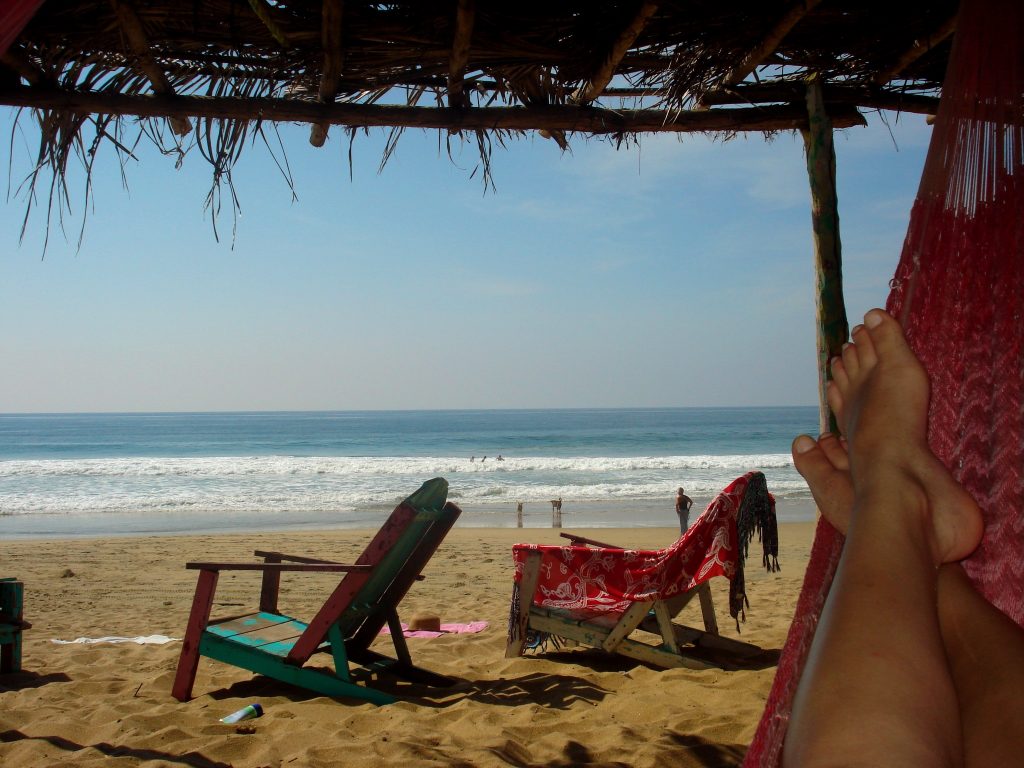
(877, 689)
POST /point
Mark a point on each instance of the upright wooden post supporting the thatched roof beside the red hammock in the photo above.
(833, 328)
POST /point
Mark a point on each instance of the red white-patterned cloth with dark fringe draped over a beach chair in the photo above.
(591, 582)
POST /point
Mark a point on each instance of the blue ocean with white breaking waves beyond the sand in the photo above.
(81, 475)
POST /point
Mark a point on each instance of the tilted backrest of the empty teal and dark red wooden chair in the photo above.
(398, 553)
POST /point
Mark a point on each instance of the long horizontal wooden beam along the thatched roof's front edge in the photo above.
(552, 118)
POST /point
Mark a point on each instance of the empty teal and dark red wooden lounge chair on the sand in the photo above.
(366, 600)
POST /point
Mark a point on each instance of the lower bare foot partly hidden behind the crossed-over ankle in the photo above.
(826, 466)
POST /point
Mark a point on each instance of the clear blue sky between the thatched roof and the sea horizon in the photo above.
(676, 274)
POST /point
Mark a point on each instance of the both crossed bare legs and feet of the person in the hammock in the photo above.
(942, 685)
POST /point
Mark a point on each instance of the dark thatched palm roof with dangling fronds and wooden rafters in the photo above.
(214, 70)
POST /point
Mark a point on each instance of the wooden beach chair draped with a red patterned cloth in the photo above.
(625, 602)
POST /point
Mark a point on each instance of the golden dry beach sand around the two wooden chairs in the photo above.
(111, 705)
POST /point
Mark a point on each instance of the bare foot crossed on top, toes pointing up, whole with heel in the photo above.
(880, 395)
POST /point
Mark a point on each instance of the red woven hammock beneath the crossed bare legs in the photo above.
(959, 291)
